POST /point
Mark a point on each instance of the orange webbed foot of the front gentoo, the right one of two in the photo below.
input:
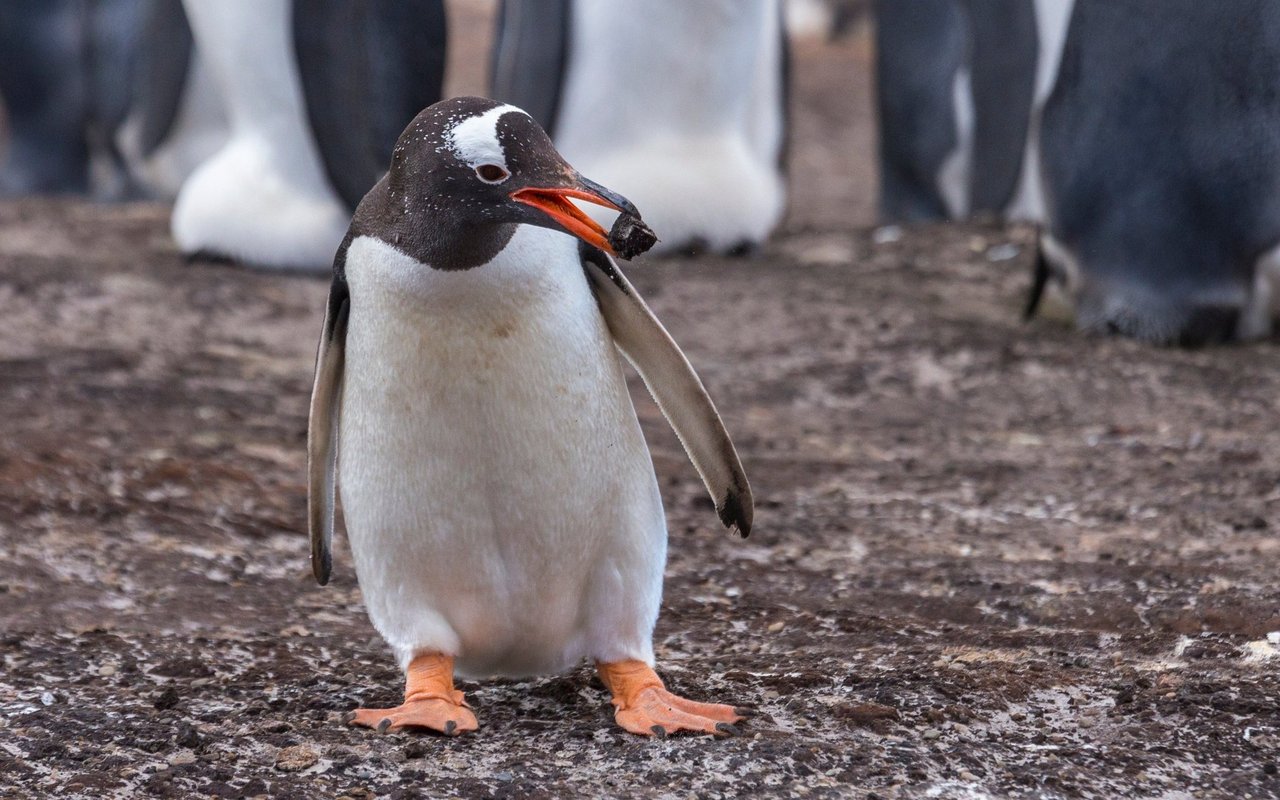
(646, 707)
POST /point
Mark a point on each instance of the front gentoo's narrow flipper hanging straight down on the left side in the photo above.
(323, 429)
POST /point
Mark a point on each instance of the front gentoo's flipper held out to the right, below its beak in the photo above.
(675, 386)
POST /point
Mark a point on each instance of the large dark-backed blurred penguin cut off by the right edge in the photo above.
(1160, 149)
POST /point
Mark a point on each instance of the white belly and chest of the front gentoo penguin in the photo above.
(500, 499)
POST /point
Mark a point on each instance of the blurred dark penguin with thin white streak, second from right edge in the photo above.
(954, 88)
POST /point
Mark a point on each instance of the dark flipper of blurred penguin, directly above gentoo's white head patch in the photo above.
(531, 57)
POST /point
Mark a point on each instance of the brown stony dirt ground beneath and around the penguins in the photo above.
(990, 559)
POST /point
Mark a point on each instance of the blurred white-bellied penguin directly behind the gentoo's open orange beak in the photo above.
(697, 95)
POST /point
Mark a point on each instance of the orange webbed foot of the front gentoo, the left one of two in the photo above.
(431, 702)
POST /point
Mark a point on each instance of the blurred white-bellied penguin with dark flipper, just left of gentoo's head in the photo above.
(316, 94)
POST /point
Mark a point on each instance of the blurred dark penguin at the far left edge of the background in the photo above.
(66, 77)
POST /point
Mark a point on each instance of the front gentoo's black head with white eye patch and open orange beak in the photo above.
(465, 173)
